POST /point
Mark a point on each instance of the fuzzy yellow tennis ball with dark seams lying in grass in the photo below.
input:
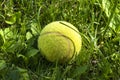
(59, 41)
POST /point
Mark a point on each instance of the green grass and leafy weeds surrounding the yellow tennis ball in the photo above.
(21, 21)
